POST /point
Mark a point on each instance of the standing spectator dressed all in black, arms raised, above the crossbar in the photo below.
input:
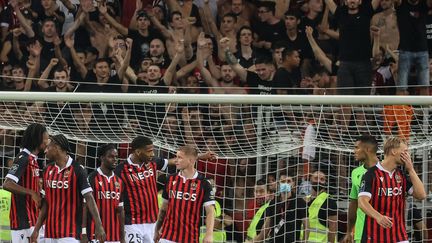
(353, 22)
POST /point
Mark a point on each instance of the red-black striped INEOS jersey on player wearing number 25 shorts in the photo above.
(140, 195)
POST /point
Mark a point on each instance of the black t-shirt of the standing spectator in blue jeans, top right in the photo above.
(411, 21)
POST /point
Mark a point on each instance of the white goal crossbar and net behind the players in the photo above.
(255, 137)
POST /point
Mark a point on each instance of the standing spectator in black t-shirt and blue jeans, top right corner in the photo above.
(413, 47)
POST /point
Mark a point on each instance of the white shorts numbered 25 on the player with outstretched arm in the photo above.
(139, 233)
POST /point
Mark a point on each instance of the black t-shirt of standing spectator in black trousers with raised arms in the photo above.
(354, 38)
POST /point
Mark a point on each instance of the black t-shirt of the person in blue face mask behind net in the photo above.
(286, 219)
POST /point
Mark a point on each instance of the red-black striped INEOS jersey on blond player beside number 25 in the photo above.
(186, 199)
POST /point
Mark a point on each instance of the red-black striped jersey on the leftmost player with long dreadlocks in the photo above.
(24, 172)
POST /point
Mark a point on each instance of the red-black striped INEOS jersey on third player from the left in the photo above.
(107, 192)
